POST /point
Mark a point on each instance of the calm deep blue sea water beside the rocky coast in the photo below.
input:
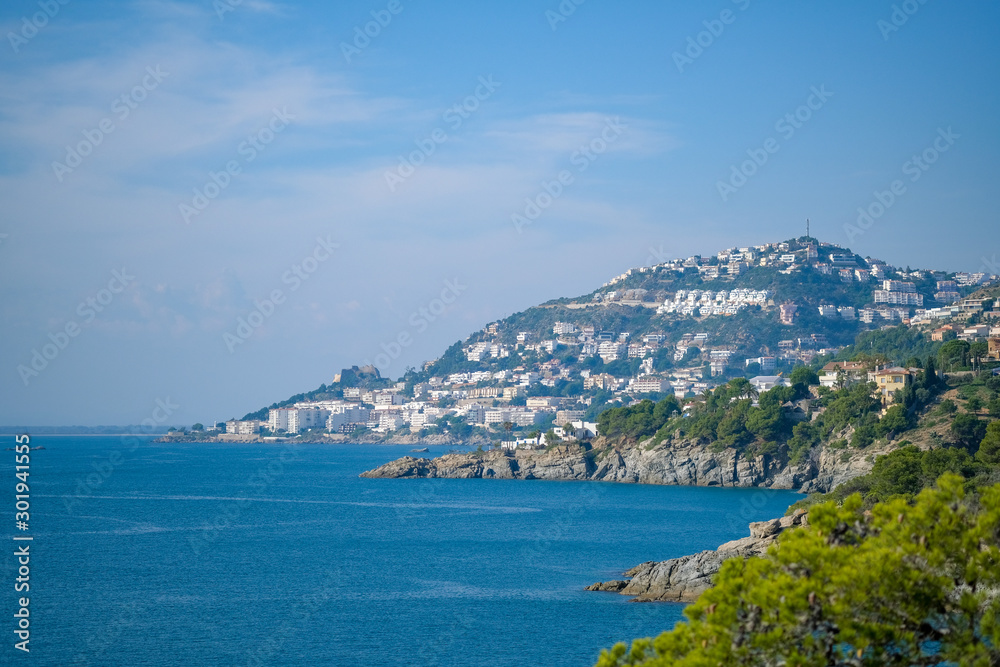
(229, 555)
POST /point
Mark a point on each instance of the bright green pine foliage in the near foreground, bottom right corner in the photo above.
(906, 584)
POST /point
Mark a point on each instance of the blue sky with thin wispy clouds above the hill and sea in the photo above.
(213, 205)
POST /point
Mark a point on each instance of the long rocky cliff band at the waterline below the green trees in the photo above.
(685, 464)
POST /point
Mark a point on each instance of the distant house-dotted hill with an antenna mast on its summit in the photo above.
(680, 327)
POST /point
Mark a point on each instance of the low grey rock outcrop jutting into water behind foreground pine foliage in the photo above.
(684, 579)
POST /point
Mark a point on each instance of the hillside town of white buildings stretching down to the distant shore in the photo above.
(680, 328)
